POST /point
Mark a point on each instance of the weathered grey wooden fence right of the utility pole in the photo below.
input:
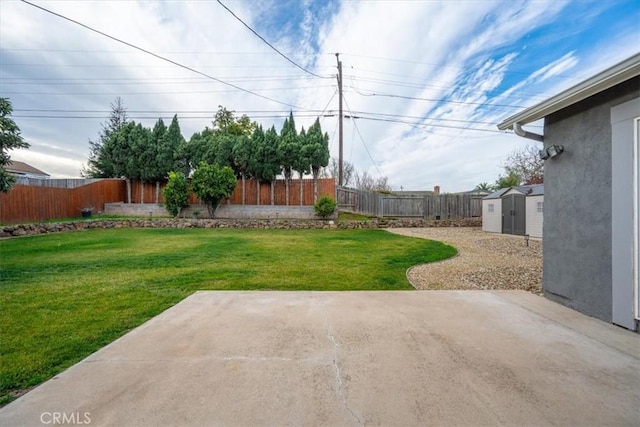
(442, 206)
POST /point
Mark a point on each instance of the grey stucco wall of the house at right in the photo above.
(577, 211)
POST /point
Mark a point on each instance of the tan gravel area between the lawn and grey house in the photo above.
(484, 261)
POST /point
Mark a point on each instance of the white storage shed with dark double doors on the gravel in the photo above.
(515, 210)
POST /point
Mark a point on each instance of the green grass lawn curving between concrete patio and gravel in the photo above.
(63, 296)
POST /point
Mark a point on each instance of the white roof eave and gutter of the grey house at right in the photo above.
(621, 72)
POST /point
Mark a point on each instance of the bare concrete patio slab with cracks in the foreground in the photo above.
(351, 358)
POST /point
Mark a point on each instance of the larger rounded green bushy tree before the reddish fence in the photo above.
(212, 184)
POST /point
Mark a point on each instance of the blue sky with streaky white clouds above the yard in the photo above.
(425, 82)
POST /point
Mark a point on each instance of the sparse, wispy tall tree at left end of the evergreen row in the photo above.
(117, 120)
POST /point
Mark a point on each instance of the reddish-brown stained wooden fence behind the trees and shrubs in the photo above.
(40, 200)
